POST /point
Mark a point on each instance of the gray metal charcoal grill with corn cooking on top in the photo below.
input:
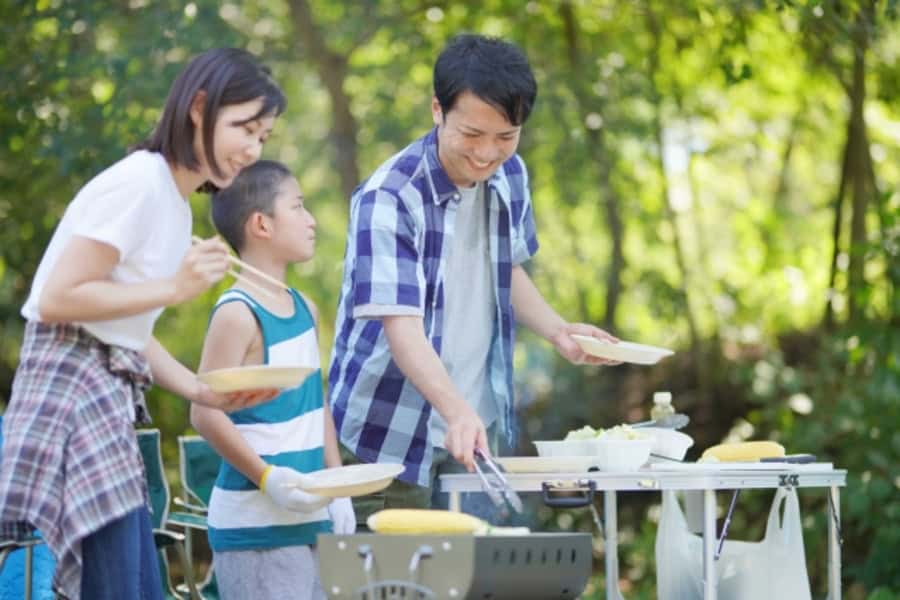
(435, 567)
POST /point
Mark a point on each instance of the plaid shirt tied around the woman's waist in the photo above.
(70, 460)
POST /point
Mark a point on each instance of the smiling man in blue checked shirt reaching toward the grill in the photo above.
(422, 365)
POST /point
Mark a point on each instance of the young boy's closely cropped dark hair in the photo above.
(253, 190)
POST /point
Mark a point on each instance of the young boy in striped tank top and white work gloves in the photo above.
(261, 527)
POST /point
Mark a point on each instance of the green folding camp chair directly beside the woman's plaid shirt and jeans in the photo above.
(158, 488)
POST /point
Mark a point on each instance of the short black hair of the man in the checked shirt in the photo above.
(494, 70)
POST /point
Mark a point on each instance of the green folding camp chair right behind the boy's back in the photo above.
(198, 466)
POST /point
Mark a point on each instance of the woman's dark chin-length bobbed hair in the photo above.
(227, 76)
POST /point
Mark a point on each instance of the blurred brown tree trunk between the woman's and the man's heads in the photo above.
(332, 70)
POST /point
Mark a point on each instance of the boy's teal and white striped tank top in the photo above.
(286, 431)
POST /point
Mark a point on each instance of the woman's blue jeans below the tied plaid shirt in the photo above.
(121, 561)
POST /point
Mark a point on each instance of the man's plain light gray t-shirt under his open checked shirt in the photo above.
(469, 306)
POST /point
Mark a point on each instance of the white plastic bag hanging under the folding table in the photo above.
(772, 569)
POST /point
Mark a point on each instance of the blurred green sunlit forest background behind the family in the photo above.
(716, 177)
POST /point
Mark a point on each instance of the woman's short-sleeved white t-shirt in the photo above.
(134, 206)
